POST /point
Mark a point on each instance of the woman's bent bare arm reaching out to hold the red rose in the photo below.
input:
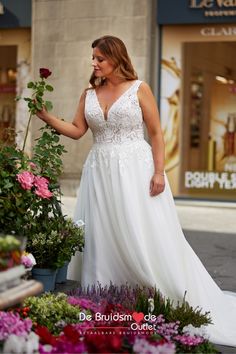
(74, 130)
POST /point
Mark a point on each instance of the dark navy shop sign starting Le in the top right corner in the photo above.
(196, 11)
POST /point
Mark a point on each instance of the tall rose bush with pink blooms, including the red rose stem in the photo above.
(29, 185)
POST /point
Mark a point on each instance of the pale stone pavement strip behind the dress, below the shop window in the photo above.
(197, 216)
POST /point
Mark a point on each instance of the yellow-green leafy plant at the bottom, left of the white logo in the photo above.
(50, 309)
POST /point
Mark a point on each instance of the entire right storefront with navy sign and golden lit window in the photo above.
(198, 96)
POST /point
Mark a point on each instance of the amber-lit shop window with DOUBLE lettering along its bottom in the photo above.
(208, 156)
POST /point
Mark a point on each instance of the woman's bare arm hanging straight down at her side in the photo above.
(151, 118)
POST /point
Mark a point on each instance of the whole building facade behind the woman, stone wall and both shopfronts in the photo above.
(185, 50)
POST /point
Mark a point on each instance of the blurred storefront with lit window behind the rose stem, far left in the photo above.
(15, 50)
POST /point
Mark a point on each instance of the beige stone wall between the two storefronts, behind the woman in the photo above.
(62, 33)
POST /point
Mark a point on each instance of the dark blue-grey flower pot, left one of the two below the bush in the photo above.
(46, 276)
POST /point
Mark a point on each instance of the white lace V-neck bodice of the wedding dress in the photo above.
(124, 121)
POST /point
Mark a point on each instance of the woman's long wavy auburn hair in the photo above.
(114, 49)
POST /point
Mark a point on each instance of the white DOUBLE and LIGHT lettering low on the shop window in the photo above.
(210, 180)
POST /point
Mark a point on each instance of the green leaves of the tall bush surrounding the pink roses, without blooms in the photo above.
(20, 207)
